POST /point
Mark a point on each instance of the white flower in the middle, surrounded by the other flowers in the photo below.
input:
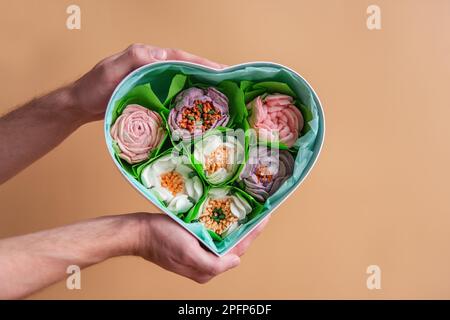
(220, 156)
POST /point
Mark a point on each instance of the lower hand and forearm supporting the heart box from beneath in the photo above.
(31, 262)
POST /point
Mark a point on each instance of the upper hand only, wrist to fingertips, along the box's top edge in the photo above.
(94, 89)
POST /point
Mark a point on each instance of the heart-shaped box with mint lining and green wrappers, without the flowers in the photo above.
(155, 86)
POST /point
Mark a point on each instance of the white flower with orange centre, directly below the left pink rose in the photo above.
(174, 182)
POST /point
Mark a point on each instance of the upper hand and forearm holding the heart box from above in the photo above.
(29, 132)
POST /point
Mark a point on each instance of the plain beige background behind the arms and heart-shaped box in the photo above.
(378, 195)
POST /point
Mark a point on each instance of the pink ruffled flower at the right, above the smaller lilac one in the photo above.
(275, 118)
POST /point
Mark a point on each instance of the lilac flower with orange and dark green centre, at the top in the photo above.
(197, 111)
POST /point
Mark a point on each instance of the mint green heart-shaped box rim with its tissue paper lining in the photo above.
(309, 145)
